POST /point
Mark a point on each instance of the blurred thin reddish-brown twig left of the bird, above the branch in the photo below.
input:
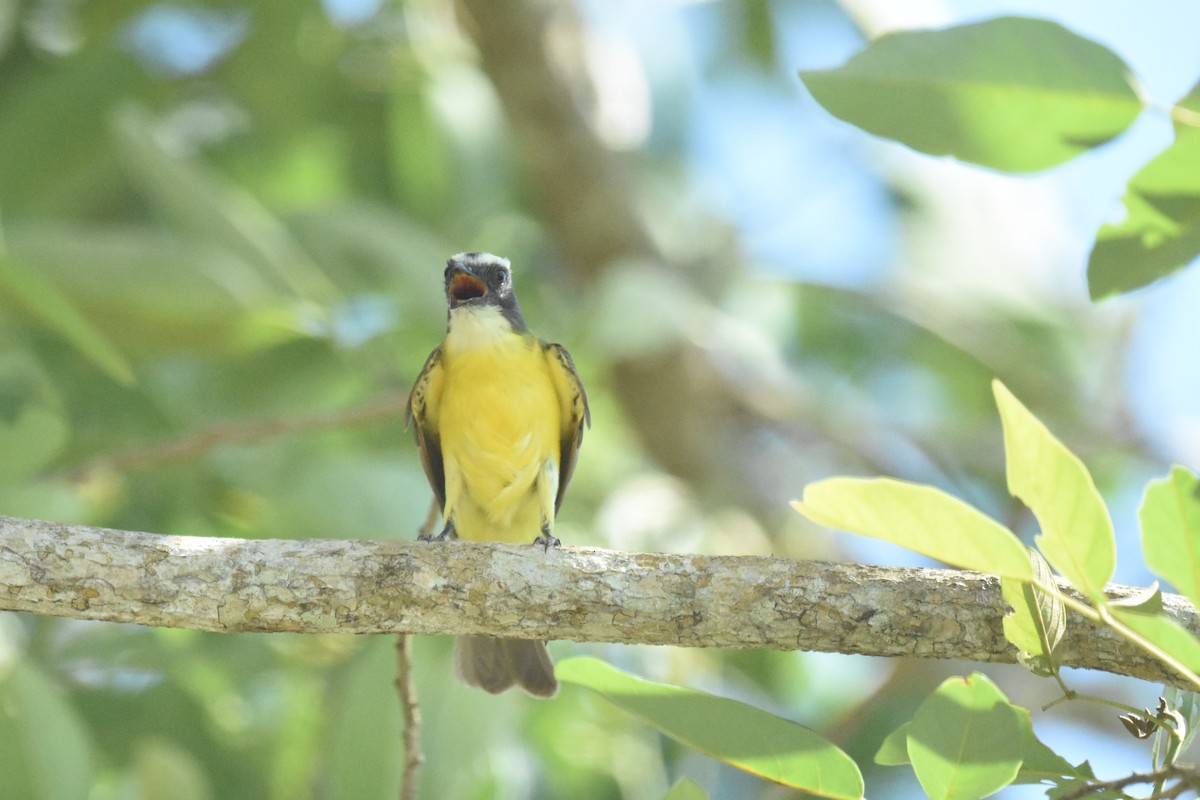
(199, 443)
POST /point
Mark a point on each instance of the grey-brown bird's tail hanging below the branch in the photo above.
(496, 665)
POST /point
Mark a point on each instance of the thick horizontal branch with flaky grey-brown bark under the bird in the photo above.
(513, 591)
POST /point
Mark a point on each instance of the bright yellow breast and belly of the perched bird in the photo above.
(500, 425)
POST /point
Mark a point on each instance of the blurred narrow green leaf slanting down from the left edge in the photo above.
(51, 306)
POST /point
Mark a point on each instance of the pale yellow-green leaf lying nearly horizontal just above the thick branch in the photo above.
(920, 518)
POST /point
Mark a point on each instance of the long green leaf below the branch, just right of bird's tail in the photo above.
(736, 733)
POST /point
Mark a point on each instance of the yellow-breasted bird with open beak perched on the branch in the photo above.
(500, 417)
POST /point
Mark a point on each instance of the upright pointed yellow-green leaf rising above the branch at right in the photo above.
(1077, 534)
